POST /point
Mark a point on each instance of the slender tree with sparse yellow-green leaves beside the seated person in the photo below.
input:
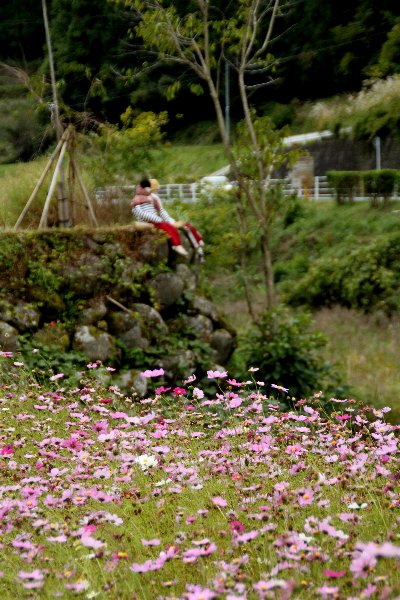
(204, 38)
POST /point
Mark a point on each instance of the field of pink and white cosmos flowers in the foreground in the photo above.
(193, 495)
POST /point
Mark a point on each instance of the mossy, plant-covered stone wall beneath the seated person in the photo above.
(120, 296)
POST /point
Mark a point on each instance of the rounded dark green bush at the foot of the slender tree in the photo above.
(287, 352)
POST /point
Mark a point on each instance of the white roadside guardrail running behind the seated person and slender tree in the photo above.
(191, 192)
